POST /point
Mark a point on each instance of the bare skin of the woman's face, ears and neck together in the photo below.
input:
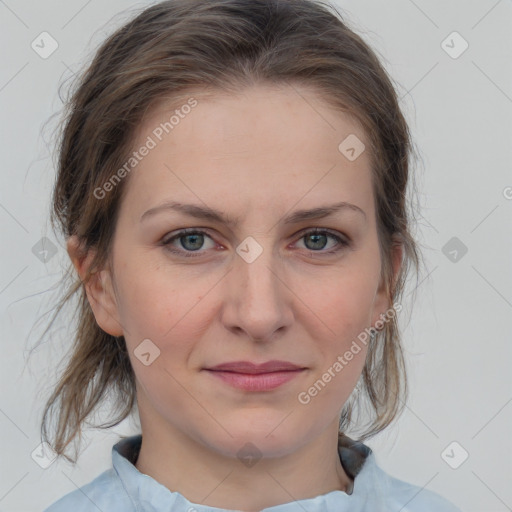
(258, 155)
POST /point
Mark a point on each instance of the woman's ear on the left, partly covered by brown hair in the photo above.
(99, 289)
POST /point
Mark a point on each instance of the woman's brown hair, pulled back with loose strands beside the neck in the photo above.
(164, 53)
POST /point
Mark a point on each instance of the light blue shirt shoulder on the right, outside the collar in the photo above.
(407, 497)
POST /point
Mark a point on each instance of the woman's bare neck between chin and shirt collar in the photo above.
(204, 476)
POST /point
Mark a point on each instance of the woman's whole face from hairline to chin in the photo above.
(256, 283)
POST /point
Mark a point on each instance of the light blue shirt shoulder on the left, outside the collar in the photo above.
(105, 492)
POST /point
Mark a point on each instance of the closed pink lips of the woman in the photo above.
(256, 377)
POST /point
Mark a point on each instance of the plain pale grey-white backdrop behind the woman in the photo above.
(458, 341)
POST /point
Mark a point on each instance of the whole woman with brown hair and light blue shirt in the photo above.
(232, 186)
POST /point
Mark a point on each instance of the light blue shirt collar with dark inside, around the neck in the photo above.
(144, 490)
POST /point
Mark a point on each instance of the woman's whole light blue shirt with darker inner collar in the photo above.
(123, 488)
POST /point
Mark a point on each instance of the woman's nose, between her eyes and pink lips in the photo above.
(258, 301)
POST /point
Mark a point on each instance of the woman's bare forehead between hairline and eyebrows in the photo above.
(260, 147)
